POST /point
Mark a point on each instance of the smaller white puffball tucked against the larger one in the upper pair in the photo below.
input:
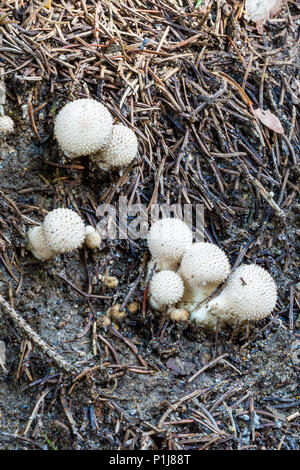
(119, 151)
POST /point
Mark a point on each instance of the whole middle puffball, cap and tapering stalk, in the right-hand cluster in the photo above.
(203, 267)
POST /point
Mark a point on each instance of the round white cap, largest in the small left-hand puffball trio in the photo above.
(64, 230)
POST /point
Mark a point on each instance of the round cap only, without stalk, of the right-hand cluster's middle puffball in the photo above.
(204, 263)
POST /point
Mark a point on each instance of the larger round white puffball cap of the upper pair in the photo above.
(82, 127)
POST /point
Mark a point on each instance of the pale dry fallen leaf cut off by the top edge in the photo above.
(260, 11)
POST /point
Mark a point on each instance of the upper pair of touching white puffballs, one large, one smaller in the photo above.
(84, 127)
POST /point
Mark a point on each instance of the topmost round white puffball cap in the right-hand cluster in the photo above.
(168, 239)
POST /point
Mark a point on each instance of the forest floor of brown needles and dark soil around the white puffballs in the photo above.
(187, 80)
